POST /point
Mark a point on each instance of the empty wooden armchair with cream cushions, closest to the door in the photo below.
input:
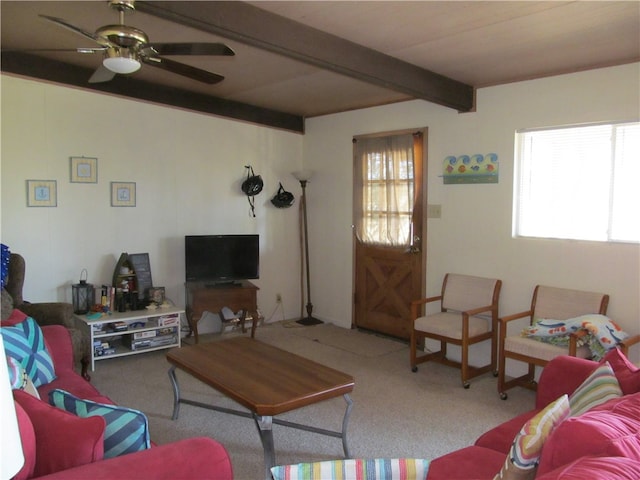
(468, 315)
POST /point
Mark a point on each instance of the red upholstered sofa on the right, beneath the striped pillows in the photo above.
(602, 442)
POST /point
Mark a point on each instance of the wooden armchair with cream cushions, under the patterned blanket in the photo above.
(546, 303)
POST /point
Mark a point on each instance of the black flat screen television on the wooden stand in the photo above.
(221, 259)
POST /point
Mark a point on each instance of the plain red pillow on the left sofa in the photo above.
(62, 440)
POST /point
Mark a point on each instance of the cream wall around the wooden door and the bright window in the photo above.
(474, 234)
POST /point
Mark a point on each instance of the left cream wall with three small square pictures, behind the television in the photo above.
(187, 167)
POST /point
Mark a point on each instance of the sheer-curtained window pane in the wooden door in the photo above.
(384, 182)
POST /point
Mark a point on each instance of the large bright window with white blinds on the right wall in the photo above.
(579, 182)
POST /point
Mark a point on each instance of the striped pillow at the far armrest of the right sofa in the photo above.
(600, 386)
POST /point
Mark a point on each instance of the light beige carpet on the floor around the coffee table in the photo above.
(396, 413)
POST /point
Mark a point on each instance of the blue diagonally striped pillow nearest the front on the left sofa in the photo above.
(127, 430)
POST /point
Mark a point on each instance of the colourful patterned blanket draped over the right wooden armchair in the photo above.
(603, 334)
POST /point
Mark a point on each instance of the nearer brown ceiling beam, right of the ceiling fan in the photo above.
(254, 26)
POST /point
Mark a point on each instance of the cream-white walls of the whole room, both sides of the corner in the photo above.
(188, 168)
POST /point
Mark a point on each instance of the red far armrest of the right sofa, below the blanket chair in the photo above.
(562, 375)
